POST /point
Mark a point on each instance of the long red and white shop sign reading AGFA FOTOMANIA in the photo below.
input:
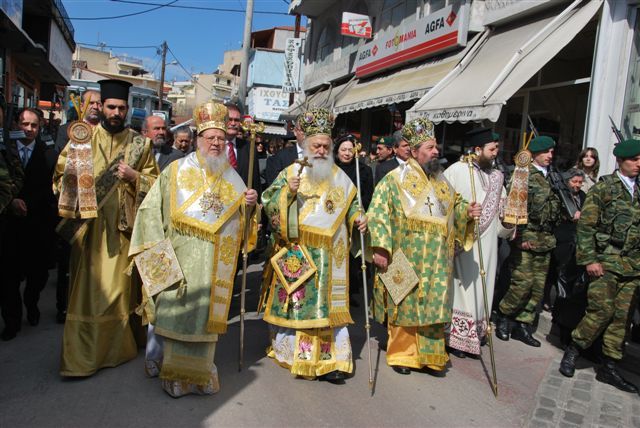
(441, 31)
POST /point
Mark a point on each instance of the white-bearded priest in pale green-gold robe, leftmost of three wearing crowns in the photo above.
(199, 204)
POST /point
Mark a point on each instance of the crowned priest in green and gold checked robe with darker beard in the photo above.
(415, 212)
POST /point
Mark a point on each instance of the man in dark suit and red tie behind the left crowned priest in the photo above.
(238, 149)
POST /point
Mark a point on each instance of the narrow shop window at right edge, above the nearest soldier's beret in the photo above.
(631, 108)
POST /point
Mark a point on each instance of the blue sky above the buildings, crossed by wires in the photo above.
(197, 39)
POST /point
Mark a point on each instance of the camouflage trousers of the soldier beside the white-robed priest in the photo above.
(528, 276)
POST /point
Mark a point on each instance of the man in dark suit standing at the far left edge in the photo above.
(28, 244)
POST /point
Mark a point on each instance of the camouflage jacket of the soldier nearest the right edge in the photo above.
(609, 227)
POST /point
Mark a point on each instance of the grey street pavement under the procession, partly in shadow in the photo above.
(34, 395)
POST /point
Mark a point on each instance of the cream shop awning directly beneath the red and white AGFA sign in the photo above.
(408, 84)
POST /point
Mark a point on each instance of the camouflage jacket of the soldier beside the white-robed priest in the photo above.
(543, 208)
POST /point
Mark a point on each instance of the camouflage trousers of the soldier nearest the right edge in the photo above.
(609, 309)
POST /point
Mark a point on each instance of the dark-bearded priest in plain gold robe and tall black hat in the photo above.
(102, 176)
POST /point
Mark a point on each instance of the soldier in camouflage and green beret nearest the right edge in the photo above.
(609, 247)
